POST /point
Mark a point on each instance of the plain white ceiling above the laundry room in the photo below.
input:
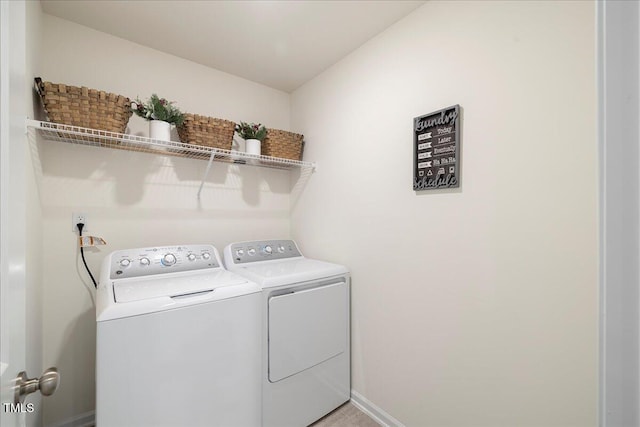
(281, 44)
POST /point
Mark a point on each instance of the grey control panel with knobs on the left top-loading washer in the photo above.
(158, 260)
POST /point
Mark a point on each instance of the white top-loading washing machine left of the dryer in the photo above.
(178, 341)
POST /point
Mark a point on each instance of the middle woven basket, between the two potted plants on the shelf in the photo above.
(207, 131)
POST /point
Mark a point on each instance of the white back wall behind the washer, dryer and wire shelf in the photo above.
(133, 199)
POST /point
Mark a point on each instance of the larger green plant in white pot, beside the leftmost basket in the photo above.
(161, 115)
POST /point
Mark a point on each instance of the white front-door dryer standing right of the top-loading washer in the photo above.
(306, 354)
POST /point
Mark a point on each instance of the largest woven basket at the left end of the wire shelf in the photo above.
(84, 107)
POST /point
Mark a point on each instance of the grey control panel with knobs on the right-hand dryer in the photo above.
(261, 250)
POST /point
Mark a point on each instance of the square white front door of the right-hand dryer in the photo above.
(306, 328)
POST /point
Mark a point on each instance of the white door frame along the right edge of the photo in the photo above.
(618, 52)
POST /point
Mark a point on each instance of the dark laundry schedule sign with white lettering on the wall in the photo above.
(436, 148)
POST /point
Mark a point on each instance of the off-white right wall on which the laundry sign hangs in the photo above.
(478, 305)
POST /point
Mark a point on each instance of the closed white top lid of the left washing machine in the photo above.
(172, 285)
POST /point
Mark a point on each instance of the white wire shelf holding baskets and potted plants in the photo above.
(119, 141)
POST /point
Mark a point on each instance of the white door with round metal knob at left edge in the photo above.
(12, 257)
